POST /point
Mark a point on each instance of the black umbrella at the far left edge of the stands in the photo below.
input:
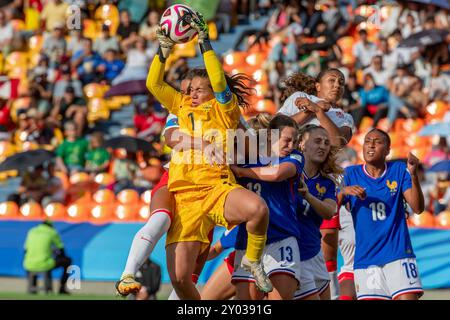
(23, 160)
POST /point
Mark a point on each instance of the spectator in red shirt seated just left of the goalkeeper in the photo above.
(147, 121)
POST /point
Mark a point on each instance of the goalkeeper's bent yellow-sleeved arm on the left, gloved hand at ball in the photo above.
(164, 93)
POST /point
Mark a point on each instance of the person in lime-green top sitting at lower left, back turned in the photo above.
(42, 242)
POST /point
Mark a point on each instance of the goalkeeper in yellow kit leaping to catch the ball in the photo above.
(206, 195)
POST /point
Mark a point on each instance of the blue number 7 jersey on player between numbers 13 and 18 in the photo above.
(322, 188)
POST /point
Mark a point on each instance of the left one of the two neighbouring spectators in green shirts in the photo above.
(71, 154)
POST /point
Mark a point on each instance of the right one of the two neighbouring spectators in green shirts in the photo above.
(97, 158)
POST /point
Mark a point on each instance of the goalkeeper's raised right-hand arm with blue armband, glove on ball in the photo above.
(213, 66)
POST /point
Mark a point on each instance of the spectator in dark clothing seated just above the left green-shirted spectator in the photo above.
(71, 107)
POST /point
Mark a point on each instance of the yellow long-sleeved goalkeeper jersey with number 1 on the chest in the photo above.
(210, 120)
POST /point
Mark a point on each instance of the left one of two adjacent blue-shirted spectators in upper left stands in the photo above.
(86, 62)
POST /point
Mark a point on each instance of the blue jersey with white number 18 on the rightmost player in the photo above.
(380, 225)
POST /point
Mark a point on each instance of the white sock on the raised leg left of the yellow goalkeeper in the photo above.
(145, 240)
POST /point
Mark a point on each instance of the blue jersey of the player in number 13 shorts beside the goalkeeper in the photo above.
(281, 198)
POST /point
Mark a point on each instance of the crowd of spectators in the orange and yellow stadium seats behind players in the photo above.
(54, 77)
